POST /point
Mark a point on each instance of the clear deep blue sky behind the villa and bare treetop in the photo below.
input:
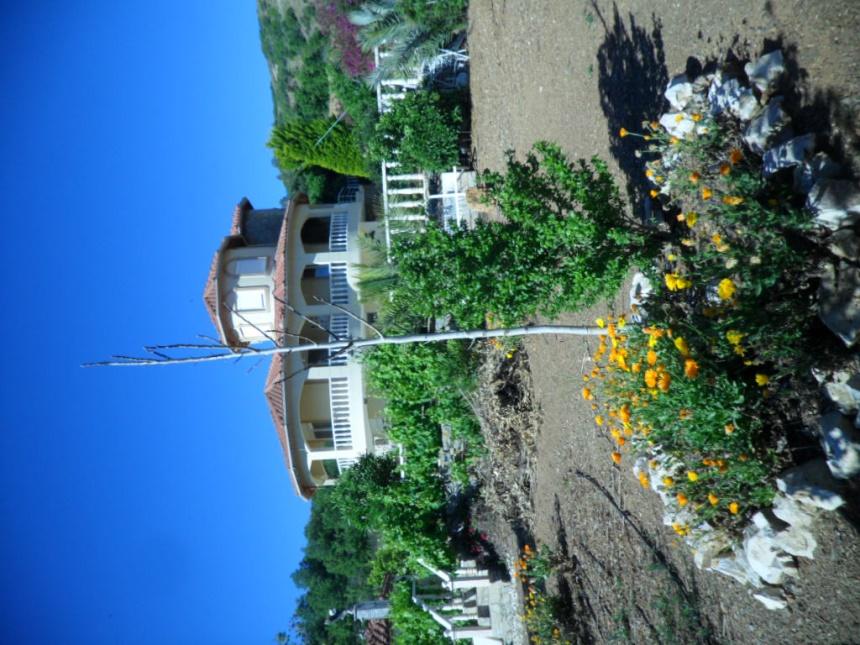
(138, 505)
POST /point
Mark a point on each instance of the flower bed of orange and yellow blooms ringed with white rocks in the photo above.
(702, 390)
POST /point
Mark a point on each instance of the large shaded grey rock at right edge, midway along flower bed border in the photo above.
(839, 302)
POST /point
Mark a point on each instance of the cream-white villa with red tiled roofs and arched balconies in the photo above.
(288, 276)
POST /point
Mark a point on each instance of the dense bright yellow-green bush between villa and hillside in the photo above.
(318, 143)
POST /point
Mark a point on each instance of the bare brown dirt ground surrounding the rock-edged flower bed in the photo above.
(574, 72)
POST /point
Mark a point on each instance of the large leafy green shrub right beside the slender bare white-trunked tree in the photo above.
(565, 244)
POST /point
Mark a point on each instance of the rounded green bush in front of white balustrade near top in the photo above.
(420, 132)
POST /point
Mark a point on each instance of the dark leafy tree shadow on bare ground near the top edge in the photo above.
(632, 78)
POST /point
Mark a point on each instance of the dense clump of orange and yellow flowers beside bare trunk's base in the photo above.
(692, 410)
